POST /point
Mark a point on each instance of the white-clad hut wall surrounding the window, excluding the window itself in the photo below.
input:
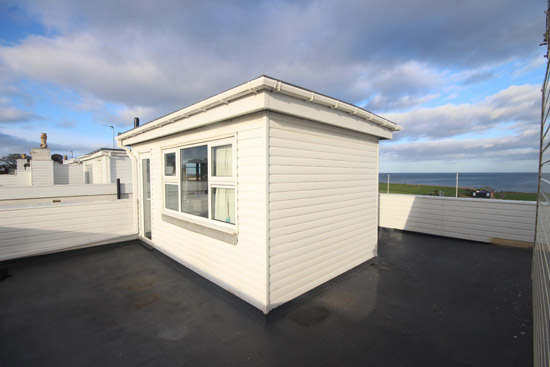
(239, 268)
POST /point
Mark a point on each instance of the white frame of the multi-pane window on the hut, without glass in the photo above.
(213, 181)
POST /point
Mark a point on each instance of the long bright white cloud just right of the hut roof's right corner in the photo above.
(517, 105)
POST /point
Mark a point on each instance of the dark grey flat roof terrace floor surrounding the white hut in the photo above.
(424, 301)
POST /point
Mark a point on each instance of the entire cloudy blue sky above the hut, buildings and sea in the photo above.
(462, 78)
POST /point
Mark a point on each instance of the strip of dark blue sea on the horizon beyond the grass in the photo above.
(501, 181)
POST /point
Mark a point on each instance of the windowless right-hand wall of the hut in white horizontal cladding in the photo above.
(323, 184)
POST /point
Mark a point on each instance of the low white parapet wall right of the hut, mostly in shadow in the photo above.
(504, 222)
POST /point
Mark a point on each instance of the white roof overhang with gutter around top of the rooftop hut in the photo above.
(263, 94)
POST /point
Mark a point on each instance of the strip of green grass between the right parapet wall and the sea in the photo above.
(451, 191)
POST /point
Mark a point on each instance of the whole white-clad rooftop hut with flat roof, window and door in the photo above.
(267, 189)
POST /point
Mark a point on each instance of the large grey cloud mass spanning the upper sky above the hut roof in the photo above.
(169, 54)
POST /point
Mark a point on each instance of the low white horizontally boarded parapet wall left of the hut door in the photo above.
(37, 230)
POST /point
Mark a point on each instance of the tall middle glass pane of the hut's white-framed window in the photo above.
(194, 181)
